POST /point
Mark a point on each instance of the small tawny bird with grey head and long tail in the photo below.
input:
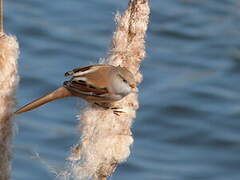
(98, 84)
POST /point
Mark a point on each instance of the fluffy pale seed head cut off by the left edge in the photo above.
(8, 82)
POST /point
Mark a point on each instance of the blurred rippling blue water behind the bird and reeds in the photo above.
(188, 124)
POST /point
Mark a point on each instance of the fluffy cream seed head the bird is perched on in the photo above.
(106, 138)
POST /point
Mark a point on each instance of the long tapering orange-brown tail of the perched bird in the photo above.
(59, 93)
